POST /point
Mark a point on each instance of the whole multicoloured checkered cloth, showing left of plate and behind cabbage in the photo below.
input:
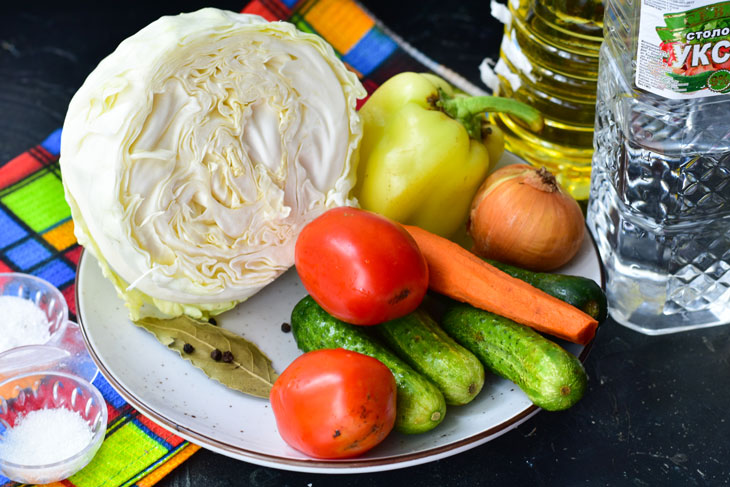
(37, 238)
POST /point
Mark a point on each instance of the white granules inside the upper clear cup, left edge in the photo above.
(21, 323)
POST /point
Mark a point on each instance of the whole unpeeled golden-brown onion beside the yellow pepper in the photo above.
(522, 216)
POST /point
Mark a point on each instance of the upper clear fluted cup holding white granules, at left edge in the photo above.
(33, 310)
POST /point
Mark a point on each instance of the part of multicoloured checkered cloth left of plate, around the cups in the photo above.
(37, 238)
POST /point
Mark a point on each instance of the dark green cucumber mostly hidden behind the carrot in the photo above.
(581, 292)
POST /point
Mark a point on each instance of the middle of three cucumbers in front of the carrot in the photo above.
(420, 341)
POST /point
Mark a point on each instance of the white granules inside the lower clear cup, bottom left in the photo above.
(45, 436)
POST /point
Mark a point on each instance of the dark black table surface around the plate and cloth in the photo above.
(655, 410)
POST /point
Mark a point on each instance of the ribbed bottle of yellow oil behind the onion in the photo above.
(549, 59)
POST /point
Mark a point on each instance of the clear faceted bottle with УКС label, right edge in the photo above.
(660, 192)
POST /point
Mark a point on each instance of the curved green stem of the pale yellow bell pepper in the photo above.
(468, 109)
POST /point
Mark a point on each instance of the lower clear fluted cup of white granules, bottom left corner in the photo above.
(51, 426)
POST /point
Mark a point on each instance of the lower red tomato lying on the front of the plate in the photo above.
(334, 403)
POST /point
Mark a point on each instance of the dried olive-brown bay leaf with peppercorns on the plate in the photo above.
(250, 371)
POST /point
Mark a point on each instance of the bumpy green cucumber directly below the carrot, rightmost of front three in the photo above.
(552, 378)
